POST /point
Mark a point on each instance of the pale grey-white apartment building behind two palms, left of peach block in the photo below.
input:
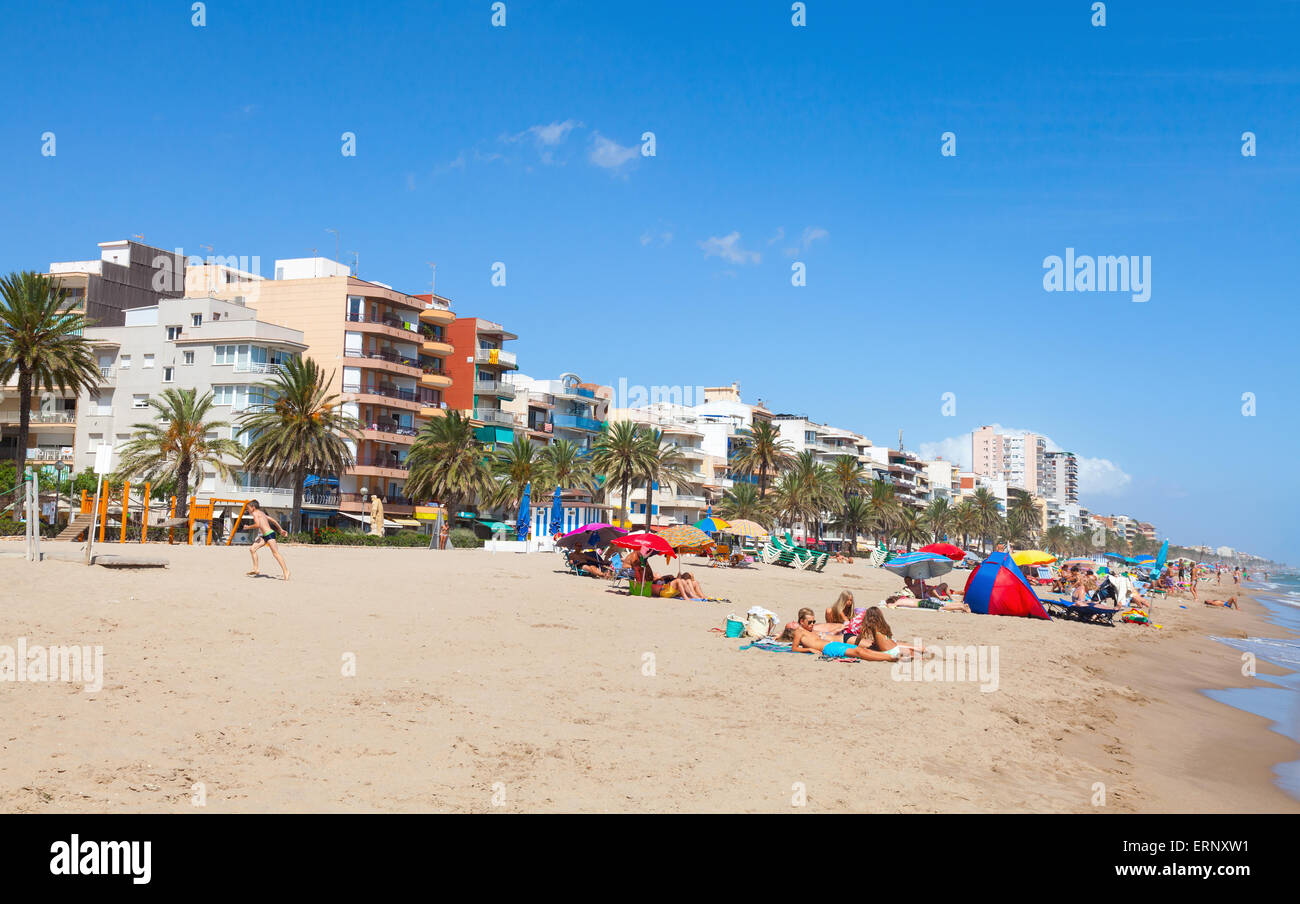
(202, 344)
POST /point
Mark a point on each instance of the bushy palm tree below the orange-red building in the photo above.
(449, 464)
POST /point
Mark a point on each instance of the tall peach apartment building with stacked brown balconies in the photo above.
(385, 353)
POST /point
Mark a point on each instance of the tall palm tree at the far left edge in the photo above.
(41, 340)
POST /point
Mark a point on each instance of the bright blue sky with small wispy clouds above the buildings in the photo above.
(774, 144)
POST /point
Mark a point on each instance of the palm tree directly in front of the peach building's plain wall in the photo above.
(298, 429)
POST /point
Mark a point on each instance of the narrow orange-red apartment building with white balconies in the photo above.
(478, 369)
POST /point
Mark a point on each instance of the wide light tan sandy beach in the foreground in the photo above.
(483, 677)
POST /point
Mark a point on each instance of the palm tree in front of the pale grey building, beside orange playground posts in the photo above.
(176, 442)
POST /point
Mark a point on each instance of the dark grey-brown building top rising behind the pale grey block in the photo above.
(127, 275)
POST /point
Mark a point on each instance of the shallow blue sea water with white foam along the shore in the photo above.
(1277, 698)
